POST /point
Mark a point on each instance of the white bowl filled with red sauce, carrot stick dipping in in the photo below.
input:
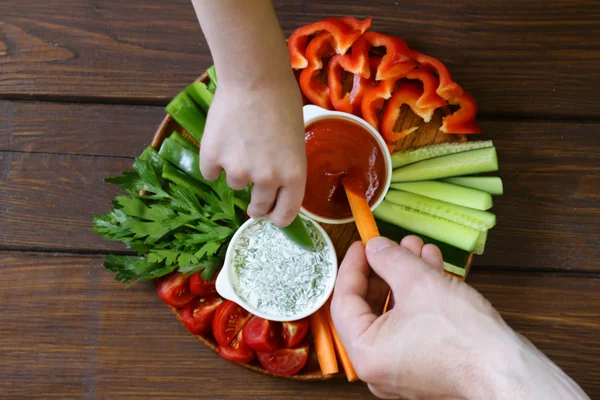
(337, 143)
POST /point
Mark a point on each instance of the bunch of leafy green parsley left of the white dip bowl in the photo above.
(168, 225)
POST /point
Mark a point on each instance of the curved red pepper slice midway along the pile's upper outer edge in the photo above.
(396, 62)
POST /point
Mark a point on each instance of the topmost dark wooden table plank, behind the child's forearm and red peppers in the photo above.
(522, 58)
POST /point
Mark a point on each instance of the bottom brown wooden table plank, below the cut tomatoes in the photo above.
(74, 333)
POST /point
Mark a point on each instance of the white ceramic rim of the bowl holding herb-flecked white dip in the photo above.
(227, 279)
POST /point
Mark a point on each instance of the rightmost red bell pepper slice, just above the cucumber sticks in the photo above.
(461, 121)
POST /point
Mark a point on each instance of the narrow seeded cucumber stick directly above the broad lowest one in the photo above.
(476, 219)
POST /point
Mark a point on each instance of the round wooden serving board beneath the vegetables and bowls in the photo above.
(341, 235)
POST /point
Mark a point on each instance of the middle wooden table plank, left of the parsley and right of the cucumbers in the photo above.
(548, 217)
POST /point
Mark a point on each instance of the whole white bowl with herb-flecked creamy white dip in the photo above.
(272, 277)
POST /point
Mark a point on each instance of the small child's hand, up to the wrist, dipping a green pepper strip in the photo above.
(256, 134)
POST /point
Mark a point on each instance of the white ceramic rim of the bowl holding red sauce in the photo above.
(315, 113)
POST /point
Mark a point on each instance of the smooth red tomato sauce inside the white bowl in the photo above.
(336, 147)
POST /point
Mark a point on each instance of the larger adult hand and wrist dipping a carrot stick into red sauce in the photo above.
(442, 339)
